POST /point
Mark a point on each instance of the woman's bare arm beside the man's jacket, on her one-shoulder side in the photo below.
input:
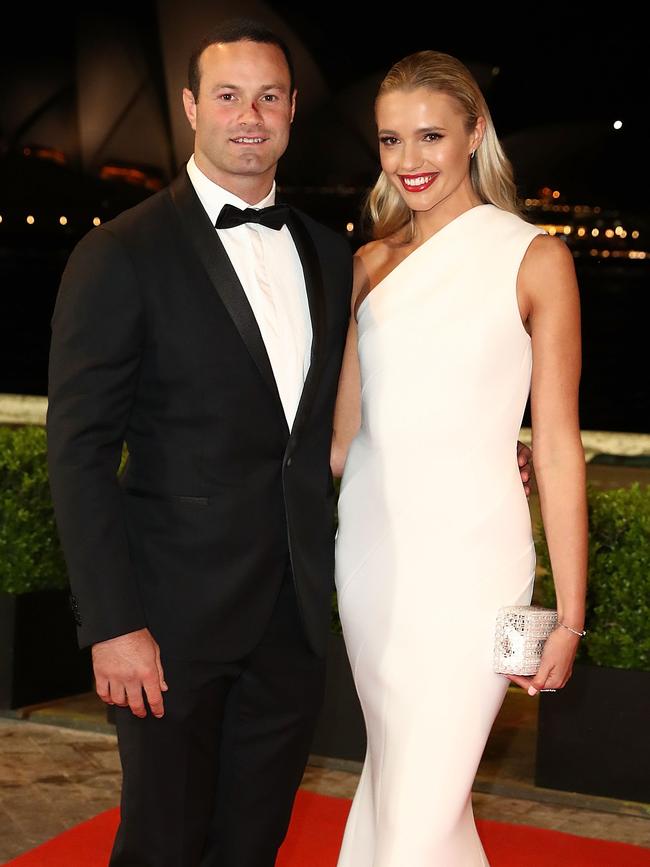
(347, 412)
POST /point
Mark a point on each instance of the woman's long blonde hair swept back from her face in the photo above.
(490, 169)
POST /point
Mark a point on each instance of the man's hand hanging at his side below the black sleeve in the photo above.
(127, 665)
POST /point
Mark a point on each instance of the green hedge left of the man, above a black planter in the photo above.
(30, 553)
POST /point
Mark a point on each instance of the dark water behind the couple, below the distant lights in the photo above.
(615, 392)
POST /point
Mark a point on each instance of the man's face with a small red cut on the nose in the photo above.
(243, 113)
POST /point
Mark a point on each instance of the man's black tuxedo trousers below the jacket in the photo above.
(212, 783)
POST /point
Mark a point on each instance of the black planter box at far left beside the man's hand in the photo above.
(39, 656)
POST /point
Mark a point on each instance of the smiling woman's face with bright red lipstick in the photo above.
(425, 148)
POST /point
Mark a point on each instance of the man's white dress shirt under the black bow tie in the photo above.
(270, 271)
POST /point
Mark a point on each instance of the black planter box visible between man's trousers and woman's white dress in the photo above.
(341, 732)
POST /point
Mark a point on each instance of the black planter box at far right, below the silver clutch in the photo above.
(593, 736)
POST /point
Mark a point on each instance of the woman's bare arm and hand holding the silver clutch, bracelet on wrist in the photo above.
(548, 293)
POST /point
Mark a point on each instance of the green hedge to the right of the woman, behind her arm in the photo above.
(618, 596)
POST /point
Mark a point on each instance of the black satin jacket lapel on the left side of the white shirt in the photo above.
(207, 244)
